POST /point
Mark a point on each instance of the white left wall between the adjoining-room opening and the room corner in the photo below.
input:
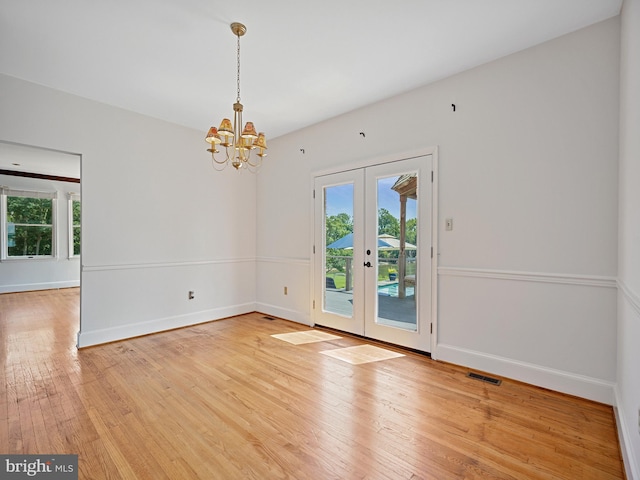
(157, 221)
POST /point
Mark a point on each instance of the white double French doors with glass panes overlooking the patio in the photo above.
(372, 243)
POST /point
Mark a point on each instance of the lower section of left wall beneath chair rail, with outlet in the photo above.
(123, 301)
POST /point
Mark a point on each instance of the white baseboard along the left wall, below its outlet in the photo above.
(97, 337)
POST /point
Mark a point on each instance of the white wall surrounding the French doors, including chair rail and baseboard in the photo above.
(528, 172)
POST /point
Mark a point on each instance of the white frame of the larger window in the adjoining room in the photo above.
(13, 192)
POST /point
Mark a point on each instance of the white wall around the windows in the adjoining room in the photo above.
(40, 274)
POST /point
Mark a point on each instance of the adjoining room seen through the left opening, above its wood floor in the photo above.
(40, 244)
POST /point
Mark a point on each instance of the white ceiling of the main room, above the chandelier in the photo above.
(301, 62)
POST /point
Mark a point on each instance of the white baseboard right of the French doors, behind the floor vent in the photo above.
(560, 381)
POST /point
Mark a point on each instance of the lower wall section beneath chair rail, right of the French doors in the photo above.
(555, 331)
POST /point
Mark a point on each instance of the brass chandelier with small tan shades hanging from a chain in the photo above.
(237, 144)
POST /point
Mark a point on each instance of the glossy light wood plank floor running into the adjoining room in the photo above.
(225, 400)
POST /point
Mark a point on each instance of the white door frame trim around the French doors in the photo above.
(433, 151)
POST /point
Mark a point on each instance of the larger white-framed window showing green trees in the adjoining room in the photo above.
(28, 223)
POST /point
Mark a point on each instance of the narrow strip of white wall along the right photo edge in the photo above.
(628, 385)
